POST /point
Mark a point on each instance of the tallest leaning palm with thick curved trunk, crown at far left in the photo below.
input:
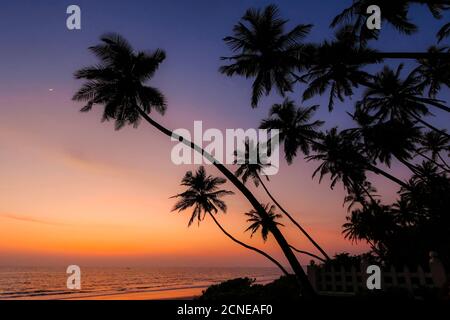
(118, 83)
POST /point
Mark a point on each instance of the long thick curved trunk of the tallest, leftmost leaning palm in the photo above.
(305, 286)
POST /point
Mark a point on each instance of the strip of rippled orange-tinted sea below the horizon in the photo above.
(23, 282)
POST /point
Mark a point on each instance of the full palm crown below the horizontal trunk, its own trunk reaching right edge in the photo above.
(392, 98)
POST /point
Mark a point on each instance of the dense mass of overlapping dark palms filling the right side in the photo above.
(391, 117)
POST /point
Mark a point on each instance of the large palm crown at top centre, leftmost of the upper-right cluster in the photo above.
(265, 51)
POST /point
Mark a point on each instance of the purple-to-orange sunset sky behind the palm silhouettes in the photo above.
(73, 190)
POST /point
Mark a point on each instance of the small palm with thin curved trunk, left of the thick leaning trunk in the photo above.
(204, 196)
